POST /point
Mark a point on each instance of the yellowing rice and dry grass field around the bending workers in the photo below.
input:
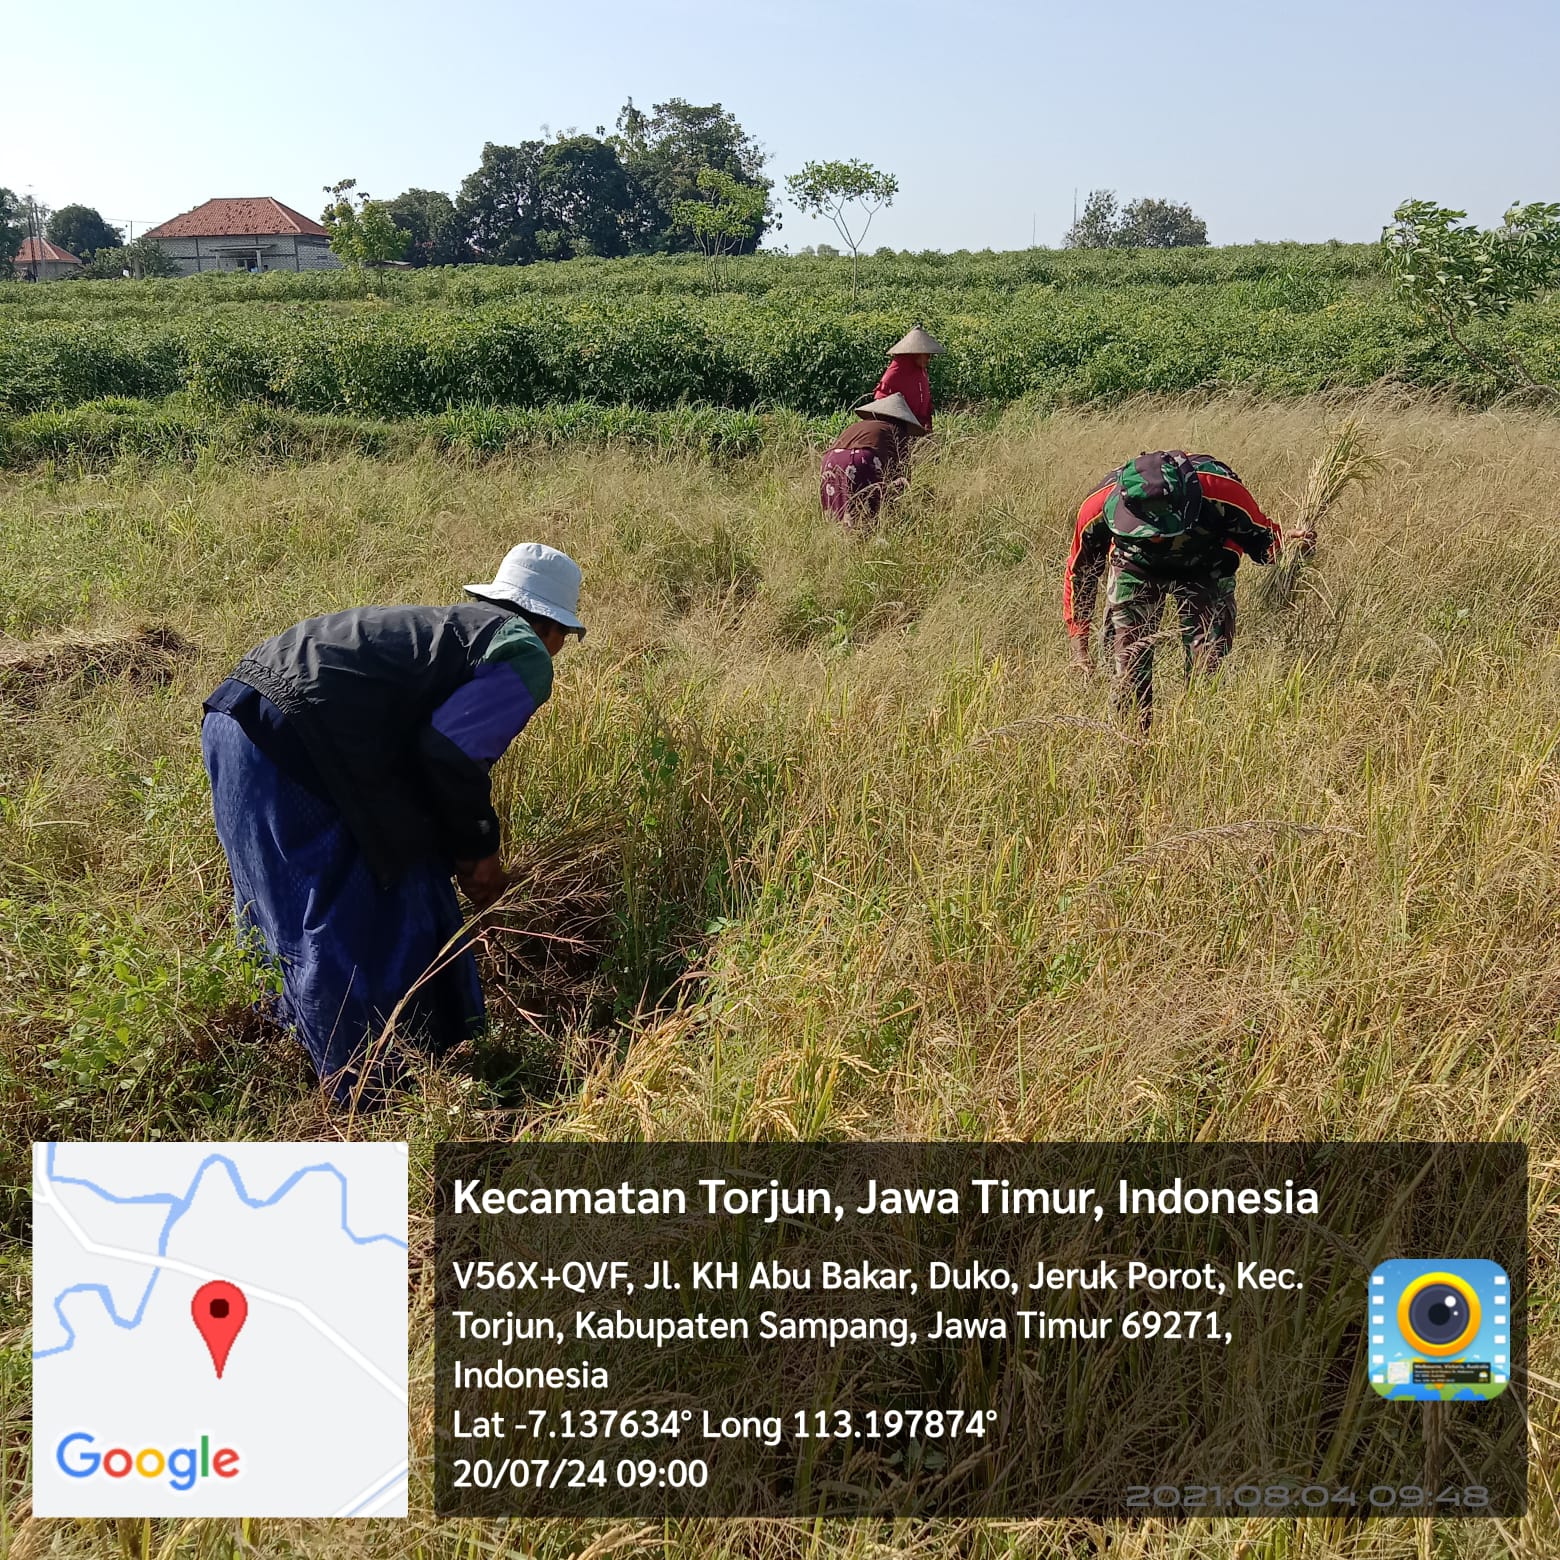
(840, 848)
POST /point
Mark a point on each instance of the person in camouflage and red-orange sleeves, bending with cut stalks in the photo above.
(1166, 528)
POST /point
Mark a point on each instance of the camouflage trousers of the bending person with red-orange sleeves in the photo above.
(1205, 608)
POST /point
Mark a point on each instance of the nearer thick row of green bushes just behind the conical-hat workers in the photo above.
(1087, 347)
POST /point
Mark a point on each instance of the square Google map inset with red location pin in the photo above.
(219, 1330)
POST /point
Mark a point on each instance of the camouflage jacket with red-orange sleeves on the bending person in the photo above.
(1166, 516)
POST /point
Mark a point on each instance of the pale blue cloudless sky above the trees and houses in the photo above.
(1272, 119)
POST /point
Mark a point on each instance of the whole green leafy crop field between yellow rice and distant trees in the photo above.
(779, 333)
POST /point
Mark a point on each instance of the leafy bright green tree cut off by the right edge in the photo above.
(1452, 272)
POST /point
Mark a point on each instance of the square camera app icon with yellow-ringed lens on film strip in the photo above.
(1439, 1331)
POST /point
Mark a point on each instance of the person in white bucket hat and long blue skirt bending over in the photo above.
(349, 764)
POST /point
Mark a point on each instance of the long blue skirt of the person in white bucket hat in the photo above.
(349, 951)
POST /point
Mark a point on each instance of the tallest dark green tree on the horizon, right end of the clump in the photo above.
(664, 154)
